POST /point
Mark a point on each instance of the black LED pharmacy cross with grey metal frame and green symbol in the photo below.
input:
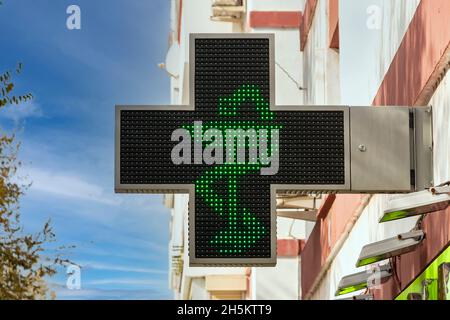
(231, 150)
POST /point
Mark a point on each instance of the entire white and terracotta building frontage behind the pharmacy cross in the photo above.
(371, 53)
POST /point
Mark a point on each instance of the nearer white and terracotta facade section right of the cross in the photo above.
(398, 56)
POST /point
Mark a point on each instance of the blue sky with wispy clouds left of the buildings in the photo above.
(67, 135)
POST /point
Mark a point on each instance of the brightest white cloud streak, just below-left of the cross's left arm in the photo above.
(69, 185)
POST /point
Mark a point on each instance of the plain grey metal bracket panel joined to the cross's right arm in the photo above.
(381, 149)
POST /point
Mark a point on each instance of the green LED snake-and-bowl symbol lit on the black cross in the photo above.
(244, 229)
